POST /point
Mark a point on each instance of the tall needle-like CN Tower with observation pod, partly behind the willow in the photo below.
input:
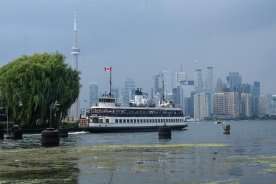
(75, 108)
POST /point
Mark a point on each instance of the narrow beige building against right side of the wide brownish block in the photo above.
(246, 105)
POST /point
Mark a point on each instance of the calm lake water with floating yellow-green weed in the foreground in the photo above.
(200, 154)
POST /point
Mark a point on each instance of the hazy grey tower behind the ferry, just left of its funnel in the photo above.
(128, 91)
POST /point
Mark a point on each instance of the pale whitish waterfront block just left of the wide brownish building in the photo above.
(201, 106)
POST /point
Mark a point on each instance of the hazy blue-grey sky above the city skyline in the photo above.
(139, 38)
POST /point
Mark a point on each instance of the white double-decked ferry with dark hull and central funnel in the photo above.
(108, 116)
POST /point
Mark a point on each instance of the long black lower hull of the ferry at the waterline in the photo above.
(106, 129)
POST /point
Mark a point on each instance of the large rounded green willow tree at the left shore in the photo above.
(30, 85)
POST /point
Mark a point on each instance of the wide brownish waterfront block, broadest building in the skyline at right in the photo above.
(227, 105)
